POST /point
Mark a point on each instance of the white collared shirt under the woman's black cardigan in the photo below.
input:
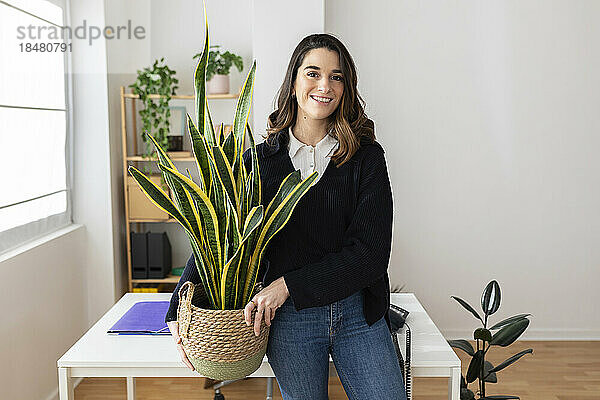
(307, 158)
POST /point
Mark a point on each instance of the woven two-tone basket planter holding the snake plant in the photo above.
(217, 342)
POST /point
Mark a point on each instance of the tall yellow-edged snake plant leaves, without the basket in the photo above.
(222, 214)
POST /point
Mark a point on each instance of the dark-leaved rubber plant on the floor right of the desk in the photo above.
(502, 334)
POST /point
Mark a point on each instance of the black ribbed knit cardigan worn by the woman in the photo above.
(338, 238)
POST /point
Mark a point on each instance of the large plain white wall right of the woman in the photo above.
(488, 113)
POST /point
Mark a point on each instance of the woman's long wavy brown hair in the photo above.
(348, 123)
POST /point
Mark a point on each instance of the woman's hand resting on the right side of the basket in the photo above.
(266, 302)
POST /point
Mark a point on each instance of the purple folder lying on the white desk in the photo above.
(143, 318)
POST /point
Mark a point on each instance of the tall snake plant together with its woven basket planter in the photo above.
(228, 228)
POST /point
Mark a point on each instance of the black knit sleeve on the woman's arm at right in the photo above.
(364, 256)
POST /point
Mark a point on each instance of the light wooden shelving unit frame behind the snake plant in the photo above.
(135, 159)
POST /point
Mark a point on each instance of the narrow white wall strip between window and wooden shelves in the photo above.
(92, 198)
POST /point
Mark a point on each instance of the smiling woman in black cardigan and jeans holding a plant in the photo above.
(326, 287)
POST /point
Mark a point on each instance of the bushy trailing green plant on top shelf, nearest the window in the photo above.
(157, 80)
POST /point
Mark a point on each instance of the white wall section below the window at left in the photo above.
(44, 312)
